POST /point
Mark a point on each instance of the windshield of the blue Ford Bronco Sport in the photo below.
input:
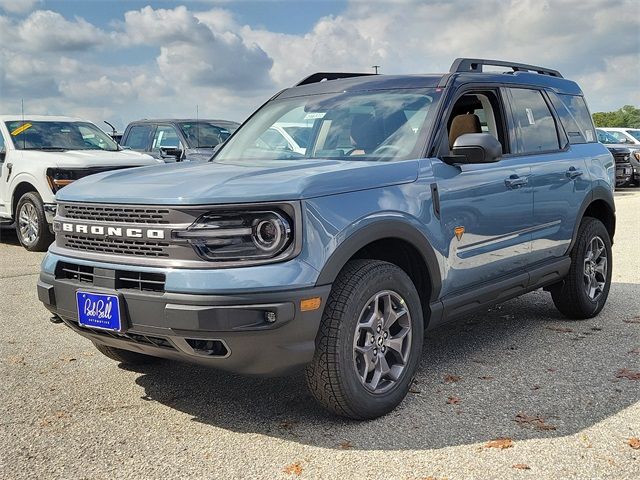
(371, 126)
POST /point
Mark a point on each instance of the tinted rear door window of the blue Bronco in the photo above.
(534, 122)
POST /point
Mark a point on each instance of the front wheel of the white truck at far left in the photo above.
(31, 223)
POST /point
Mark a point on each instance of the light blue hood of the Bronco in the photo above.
(243, 182)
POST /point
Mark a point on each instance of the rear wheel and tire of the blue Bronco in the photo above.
(570, 296)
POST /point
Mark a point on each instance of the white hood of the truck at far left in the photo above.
(90, 158)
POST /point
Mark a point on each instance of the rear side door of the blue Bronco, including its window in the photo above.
(559, 175)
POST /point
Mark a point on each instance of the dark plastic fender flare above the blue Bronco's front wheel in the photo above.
(383, 229)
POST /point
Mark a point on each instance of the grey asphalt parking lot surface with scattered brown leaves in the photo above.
(563, 397)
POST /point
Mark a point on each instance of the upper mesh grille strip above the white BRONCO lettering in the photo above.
(115, 214)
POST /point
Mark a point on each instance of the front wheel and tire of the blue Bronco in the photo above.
(336, 376)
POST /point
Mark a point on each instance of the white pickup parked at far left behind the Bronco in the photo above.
(41, 154)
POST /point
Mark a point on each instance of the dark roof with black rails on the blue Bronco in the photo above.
(463, 70)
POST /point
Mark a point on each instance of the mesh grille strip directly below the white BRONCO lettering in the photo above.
(146, 248)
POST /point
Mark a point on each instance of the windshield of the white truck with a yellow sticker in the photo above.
(45, 135)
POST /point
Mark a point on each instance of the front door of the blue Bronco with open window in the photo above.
(485, 209)
